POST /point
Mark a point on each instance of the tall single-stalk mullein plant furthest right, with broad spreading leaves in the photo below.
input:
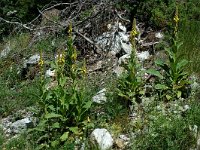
(173, 81)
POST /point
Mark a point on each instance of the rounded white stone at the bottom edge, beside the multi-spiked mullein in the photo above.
(103, 138)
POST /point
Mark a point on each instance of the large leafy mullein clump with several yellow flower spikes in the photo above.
(64, 109)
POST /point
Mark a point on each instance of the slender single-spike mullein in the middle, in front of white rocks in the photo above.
(130, 87)
